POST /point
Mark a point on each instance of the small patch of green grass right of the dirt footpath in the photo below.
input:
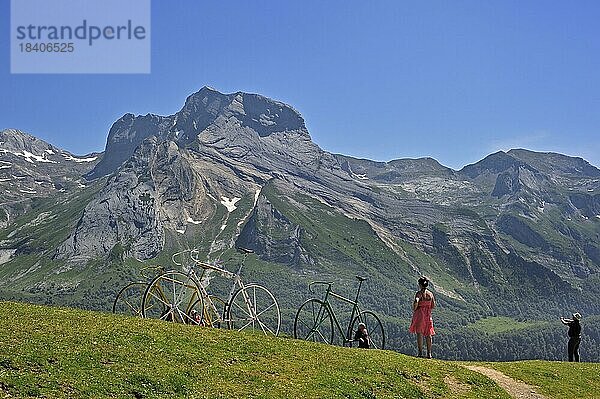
(556, 379)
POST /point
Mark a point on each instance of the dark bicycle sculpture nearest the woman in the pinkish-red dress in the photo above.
(315, 319)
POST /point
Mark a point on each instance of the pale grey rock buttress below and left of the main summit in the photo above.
(151, 191)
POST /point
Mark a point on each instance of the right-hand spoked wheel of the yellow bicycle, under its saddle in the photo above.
(254, 307)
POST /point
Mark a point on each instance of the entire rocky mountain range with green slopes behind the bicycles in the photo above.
(516, 234)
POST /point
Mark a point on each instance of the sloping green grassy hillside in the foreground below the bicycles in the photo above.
(57, 352)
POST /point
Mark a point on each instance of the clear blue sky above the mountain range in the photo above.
(381, 80)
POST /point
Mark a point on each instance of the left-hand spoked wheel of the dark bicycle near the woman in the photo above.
(314, 322)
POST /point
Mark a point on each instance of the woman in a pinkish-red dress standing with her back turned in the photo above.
(422, 323)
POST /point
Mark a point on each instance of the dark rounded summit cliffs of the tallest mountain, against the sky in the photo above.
(238, 118)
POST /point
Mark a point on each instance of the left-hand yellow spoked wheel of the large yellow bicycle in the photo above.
(170, 297)
